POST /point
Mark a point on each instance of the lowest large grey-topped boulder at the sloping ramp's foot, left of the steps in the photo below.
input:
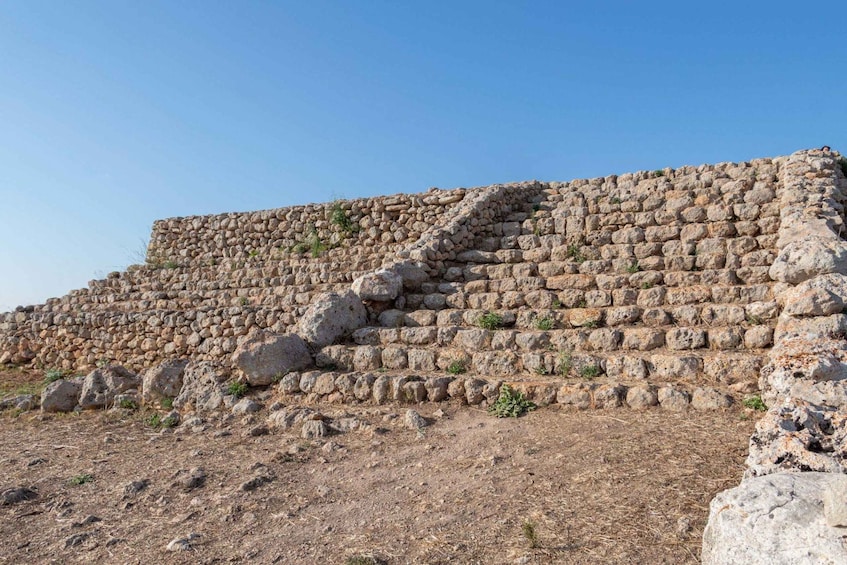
(265, 357)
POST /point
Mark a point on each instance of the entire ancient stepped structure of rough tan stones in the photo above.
(688, 288)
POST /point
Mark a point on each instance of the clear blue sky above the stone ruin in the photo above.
(116, 113)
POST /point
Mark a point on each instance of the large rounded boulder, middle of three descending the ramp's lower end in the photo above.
(331, 316)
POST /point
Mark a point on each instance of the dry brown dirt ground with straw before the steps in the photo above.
(610, 486)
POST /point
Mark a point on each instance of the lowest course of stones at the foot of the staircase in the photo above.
(380, 388)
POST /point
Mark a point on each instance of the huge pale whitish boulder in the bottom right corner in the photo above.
(779, 519)
